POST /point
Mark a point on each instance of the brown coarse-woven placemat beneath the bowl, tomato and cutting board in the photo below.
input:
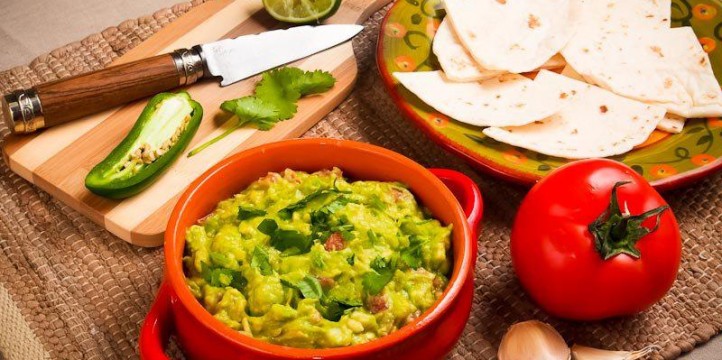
(84, 293)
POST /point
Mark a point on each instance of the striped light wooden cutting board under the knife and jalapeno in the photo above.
(58, 159)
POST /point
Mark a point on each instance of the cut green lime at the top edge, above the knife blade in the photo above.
(301, 11)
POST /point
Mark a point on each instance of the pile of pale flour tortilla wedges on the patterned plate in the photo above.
(622, 73)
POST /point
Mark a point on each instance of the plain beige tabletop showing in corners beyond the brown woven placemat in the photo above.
(48, 24)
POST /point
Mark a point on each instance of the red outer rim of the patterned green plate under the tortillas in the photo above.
(507, 173)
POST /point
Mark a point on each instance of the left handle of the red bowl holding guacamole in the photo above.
(157, 326)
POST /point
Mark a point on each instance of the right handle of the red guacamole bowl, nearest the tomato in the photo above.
(469, 196)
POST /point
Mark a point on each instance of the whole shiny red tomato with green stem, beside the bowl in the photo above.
(563, 267)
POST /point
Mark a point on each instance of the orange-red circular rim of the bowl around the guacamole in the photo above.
(175, 243)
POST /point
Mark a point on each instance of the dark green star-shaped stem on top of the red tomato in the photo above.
(616, 232)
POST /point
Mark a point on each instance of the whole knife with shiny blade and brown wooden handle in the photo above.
(57, 102)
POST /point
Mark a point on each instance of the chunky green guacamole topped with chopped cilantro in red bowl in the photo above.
(315, 261)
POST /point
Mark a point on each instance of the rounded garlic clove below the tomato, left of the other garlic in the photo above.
(533, 340)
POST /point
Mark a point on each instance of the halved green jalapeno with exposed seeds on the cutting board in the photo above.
(163, 130)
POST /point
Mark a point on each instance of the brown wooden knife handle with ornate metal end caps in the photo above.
(67, 99)
